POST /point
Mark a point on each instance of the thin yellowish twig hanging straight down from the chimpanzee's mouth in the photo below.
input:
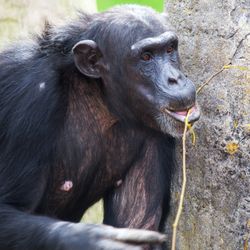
(183, 187)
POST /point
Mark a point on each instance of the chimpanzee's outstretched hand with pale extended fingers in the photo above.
(101, 237)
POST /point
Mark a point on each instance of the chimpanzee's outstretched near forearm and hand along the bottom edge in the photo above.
(21, 231)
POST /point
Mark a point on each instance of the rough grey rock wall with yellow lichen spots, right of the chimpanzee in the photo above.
(217, 203)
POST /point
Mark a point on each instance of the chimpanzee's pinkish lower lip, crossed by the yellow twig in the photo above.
(181, 115)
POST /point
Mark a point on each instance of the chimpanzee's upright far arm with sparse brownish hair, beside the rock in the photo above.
(142, 199)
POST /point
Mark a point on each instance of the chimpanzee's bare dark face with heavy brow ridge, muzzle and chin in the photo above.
(160, 91)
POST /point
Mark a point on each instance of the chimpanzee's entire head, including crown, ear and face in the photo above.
(135, 53)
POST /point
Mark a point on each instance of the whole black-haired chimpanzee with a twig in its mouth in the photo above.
(90, 110)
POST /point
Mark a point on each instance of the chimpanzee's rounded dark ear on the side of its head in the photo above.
(86, 57)
